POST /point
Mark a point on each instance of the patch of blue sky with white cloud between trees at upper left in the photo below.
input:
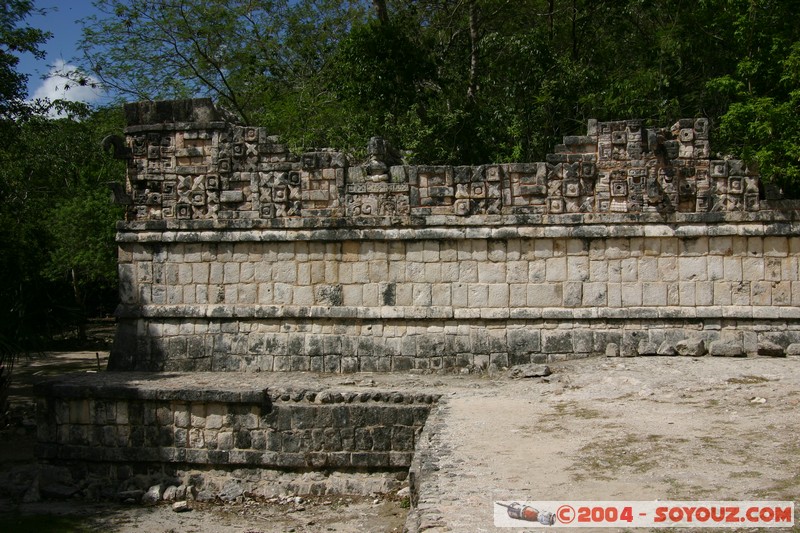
(61, 19)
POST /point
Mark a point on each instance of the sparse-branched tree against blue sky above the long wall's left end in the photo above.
(234, 51)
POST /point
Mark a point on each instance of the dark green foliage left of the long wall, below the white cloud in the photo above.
(56, 227)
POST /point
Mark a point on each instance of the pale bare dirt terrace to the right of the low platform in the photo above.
(643, 429)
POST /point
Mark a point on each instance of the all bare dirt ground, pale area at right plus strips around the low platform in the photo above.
(668, 428)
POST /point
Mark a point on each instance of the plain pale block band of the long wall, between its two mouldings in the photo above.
(473, 274)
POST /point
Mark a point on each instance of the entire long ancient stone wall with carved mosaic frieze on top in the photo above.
(238, 255)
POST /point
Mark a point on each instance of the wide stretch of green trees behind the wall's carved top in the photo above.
(469, 81)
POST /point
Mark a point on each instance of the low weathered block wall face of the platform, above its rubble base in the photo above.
(114, 421)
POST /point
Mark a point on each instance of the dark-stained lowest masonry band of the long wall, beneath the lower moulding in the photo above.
(244, 345)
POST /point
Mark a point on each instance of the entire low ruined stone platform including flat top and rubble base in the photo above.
(261, 431)
